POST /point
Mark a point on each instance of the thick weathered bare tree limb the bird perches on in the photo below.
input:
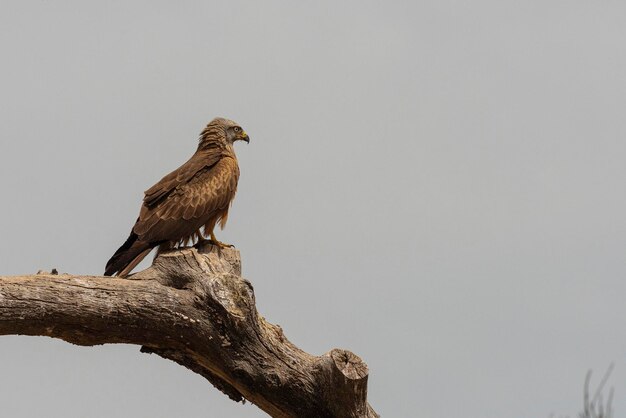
(193, 307)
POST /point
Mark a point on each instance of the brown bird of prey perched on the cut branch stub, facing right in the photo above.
(188, 203)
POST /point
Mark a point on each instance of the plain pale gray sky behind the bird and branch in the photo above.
(437, 186)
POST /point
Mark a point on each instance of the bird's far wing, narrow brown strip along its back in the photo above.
(198, 162)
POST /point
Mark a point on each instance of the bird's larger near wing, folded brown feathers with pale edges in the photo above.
(189, 205)
